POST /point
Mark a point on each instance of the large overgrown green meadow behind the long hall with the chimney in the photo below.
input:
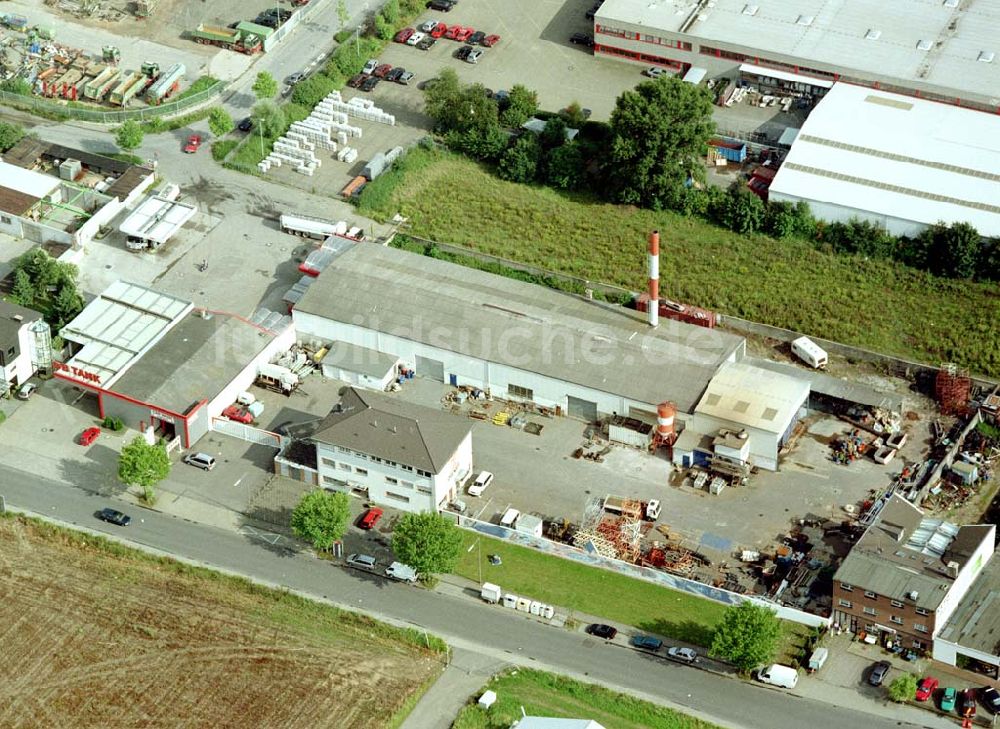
(878, 305)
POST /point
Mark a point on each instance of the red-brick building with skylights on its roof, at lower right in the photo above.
(907, 575)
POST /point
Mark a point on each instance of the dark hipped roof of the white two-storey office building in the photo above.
(386, 427)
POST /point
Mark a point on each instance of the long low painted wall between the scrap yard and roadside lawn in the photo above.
(664, 579)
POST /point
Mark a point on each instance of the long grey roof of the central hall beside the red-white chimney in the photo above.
(522, 325)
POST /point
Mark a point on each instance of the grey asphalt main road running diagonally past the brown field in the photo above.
(464, 622)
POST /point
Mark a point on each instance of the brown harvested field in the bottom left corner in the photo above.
(89, 635)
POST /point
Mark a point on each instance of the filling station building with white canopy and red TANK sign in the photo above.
(158, 363)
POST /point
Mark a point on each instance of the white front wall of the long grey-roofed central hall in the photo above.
(545, 390)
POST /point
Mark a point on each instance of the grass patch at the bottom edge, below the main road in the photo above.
(546, 694)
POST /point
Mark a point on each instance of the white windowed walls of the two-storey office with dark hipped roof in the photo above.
(394, 485)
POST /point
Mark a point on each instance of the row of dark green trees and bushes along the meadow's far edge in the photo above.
(651, 153)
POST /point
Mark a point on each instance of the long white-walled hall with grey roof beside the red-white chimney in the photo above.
(519, 340)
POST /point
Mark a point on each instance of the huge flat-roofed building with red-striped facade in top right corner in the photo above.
(945, 50)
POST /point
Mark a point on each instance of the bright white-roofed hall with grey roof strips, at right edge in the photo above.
(900, 162)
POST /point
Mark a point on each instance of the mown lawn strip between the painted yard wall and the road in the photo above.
(597, 592)
